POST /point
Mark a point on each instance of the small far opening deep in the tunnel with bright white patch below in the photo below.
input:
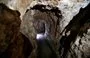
(40, 29)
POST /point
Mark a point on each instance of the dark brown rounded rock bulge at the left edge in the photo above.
(5, 21)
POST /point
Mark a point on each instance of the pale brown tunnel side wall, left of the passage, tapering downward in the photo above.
(28, 30)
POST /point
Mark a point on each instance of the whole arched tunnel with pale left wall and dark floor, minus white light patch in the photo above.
(39, 17)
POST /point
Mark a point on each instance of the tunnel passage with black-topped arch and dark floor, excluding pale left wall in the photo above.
(46, 23)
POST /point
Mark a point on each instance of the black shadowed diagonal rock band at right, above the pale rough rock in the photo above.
(78, 26)
